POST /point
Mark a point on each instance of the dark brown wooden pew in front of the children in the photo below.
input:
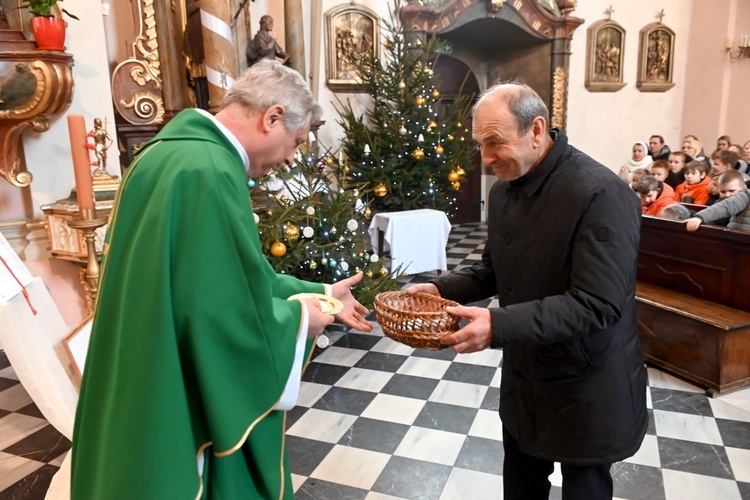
(693, 302)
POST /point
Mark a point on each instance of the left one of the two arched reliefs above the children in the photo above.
(605, 56)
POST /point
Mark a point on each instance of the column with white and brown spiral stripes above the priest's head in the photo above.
(217, 43)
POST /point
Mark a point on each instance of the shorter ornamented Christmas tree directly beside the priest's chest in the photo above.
(313, 224)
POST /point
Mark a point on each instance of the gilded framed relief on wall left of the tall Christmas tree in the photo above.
(352, 32)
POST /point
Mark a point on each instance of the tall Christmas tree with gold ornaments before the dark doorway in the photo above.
(411, 155)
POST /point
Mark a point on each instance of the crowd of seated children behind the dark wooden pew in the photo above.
(677, 184)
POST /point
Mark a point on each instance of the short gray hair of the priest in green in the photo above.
(267, 83)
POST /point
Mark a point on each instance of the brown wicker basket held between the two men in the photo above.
(415, 319)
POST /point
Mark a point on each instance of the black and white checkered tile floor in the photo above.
(377, 420)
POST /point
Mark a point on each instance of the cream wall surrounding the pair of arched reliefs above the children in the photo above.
(606, 124)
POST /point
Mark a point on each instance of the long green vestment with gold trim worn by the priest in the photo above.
(193, 339)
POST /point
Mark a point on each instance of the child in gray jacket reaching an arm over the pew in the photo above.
(735, 204)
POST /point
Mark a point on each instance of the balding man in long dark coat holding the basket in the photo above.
(561, 251)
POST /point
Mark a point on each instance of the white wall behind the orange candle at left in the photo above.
(48, 154)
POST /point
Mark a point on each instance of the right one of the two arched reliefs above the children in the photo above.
(655, 58)
